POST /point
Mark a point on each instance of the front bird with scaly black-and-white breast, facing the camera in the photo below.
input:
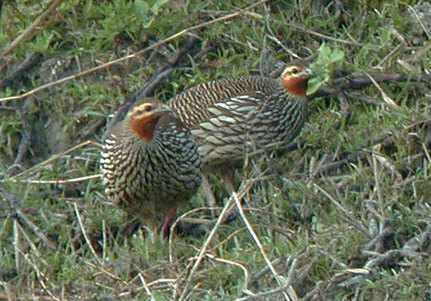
(150, 162)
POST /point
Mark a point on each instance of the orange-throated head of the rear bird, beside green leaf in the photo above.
(295, 79)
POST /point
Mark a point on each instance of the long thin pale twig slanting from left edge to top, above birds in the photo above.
(136, 54)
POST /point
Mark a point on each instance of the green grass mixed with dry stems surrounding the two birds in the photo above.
(355, 231)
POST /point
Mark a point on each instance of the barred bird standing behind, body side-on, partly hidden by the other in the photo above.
(228, 117)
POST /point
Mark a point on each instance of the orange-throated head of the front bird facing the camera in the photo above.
(143, 118)
